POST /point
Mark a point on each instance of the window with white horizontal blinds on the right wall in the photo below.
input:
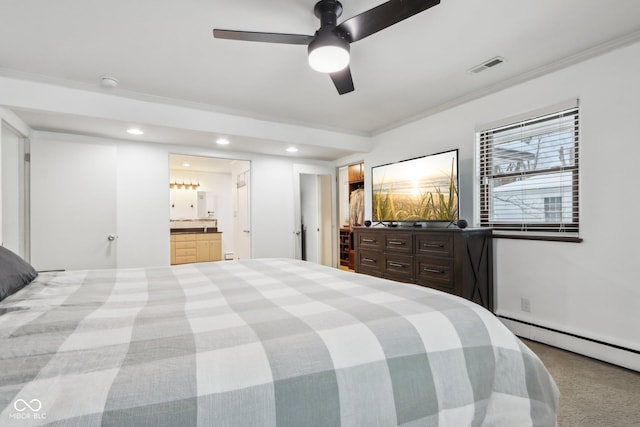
(528, 176)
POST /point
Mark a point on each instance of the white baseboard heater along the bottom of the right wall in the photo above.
(586, 347)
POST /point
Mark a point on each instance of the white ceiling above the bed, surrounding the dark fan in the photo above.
(164, 50)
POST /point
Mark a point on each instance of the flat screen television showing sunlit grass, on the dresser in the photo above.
(416, 190)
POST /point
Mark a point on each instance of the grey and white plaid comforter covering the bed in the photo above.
(270, 342)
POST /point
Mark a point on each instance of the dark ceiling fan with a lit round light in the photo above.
(329, 46)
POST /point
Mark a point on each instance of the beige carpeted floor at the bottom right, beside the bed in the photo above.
(592, 393)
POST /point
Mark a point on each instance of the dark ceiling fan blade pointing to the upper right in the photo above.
(381, 17)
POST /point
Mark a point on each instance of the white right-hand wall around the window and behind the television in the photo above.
(591, 288)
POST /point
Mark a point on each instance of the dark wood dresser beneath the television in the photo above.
(448, 259)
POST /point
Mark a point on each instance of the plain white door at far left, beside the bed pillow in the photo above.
(73, 205)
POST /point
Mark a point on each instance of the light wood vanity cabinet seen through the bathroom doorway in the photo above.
(196, 247)
